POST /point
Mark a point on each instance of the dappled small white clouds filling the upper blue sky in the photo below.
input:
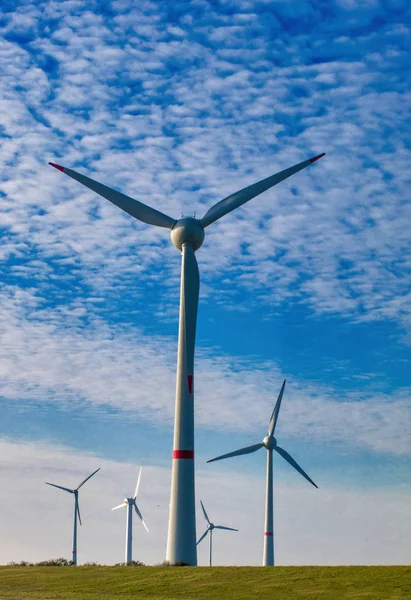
(181, 107)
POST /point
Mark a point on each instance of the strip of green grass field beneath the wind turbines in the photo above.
(225, 583)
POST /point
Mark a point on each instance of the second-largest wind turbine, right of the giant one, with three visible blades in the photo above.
(270, 444)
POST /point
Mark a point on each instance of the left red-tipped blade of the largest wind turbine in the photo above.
(136, 209)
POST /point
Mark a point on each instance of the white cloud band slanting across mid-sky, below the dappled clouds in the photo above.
(49, 354)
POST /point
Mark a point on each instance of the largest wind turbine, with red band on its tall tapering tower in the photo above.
(187, 234)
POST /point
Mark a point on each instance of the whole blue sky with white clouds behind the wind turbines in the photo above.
(178, 106)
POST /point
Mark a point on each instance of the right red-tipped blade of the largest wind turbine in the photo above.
(241, 197)
